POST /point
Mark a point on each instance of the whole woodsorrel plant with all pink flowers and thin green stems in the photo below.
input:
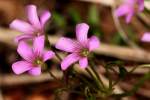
(88, 82)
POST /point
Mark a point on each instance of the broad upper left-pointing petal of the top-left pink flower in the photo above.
(21, 26)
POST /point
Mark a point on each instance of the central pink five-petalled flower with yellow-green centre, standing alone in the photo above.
(79, 48)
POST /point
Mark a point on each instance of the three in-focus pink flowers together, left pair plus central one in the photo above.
(34, 57)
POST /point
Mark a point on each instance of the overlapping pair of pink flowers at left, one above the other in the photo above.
(33, 58)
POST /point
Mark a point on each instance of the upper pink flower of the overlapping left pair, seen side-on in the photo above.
(33, 28)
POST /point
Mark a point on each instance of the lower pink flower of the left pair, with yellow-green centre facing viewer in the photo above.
(33, 59)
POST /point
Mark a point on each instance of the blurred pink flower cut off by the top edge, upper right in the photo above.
(129, 8)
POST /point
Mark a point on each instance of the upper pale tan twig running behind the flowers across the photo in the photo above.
(124, 53)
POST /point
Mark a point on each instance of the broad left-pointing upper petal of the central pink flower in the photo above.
(68, 45)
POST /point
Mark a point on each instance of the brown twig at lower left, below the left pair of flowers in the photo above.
(11, 80)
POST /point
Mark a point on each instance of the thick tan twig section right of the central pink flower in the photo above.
(124, 53)
